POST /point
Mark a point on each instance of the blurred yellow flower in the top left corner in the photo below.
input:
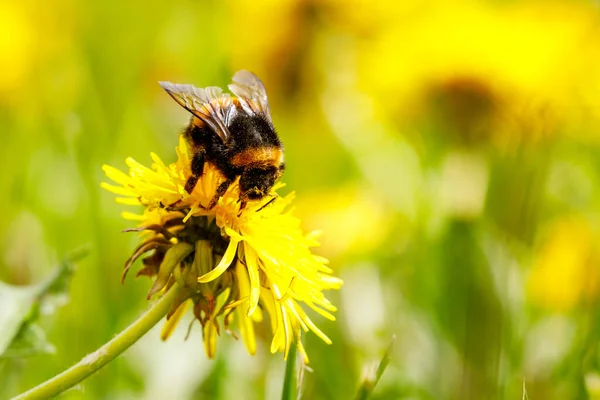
(36, 53)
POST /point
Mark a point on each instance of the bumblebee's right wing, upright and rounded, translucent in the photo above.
(251, 93)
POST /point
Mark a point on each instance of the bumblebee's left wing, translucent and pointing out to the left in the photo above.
(209, 104)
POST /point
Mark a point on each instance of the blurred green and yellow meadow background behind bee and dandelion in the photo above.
(448, 150)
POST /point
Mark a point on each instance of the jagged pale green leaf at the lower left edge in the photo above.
(20, 305)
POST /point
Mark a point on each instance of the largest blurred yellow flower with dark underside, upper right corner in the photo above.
(493, 69)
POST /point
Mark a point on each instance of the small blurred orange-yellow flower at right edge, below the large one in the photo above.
(565, 271)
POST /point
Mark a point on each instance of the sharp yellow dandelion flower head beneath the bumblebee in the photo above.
(234, 263)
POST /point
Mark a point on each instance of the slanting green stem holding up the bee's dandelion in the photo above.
(105, 354)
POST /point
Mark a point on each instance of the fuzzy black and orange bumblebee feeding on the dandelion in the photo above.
(235, 134)
